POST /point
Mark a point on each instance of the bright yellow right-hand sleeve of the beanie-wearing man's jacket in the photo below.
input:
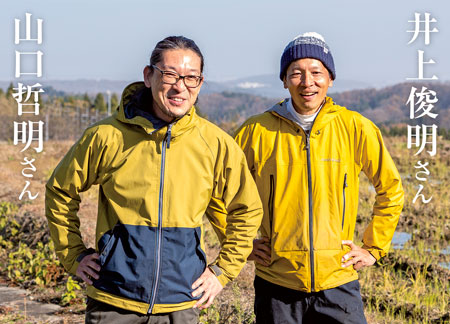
(379, 167)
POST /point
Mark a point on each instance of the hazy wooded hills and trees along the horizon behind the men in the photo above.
(386, 107)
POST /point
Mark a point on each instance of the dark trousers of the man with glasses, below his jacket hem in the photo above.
(101, 313)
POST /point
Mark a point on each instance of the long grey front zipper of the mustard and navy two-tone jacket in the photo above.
(165, 144)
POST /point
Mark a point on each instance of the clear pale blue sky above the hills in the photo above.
(113, 39)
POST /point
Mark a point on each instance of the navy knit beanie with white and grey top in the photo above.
(308, 45)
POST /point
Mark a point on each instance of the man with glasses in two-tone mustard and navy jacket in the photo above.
(160, 168)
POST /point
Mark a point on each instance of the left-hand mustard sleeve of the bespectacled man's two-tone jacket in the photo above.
(76, 172)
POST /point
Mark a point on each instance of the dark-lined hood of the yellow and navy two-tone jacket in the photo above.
(130, 111)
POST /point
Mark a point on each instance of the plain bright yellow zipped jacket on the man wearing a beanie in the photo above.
(309, 189)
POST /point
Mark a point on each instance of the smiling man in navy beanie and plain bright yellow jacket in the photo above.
(305, 154)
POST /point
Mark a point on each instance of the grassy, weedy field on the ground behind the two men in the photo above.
(411, 285)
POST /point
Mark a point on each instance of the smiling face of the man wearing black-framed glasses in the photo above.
(171, 101)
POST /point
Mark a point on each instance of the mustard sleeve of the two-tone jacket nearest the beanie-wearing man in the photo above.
(235, 210)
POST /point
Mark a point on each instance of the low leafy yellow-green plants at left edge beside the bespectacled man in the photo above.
(29, 260)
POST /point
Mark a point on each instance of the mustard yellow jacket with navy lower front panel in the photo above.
(155, 185)
